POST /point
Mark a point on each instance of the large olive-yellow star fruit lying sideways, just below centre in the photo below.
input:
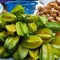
(32, 42)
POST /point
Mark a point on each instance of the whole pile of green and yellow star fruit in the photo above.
(28, 37)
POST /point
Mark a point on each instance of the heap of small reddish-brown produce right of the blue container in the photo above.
(51, 10)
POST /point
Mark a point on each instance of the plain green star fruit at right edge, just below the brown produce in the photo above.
(55, 26)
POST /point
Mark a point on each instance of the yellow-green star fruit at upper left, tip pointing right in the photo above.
(8, 17)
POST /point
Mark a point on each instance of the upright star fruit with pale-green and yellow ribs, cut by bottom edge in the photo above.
(46, 52)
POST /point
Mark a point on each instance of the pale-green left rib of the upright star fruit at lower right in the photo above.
(44, 53)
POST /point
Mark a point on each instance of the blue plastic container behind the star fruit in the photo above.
(29, 5)
